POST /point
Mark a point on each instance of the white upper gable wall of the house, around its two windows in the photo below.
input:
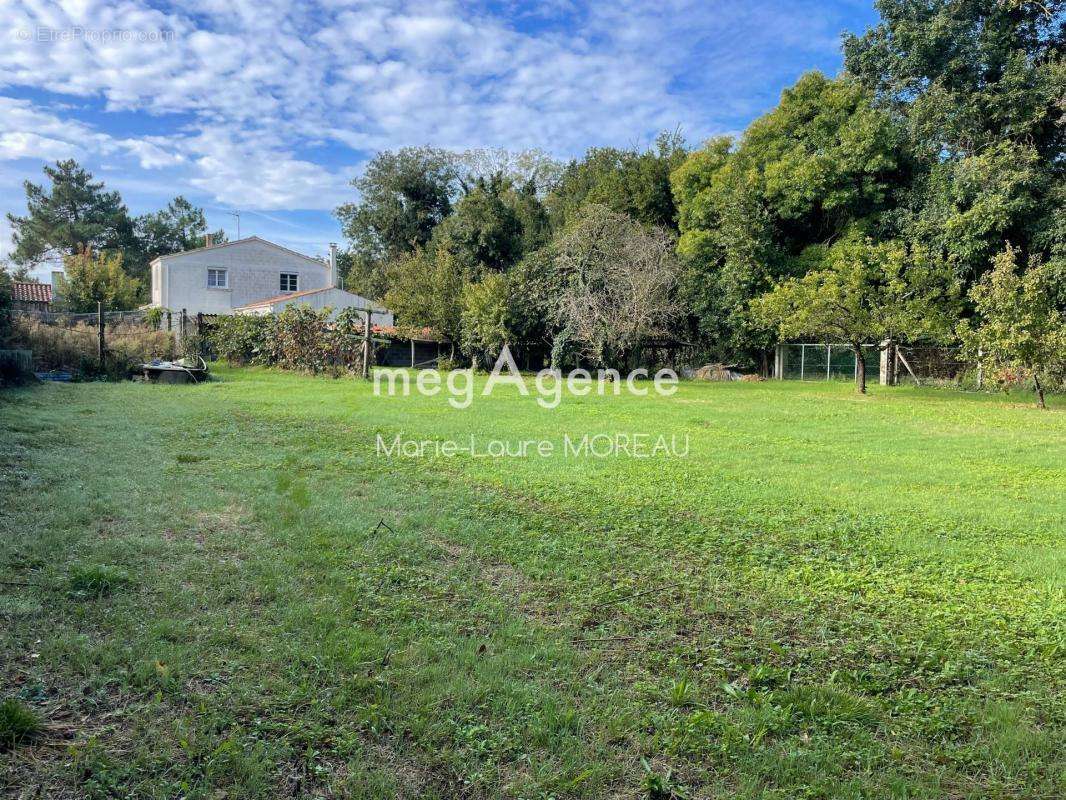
(253, 268)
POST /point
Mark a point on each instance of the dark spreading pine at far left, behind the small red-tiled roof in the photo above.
(69, 215)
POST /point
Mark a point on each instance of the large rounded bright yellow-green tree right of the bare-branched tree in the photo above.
(823, 165)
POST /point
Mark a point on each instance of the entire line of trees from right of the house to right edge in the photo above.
(894, 201)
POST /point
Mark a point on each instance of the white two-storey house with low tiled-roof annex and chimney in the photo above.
(250, 276)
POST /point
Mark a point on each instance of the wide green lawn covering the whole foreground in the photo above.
(221, 591)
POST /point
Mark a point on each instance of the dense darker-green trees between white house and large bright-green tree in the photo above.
(469, 244)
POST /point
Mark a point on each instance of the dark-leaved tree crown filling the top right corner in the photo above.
(968, 75)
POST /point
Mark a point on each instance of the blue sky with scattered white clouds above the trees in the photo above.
(272, 108)
